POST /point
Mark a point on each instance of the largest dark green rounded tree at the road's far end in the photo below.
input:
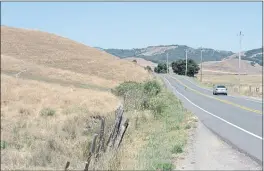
(179, 67)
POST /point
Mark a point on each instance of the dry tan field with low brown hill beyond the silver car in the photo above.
(225, 72)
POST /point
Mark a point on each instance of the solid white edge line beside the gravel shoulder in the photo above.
(254, 135)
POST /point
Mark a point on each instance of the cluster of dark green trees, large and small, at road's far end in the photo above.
(179, 67)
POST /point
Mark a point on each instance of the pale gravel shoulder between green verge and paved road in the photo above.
(206, 151)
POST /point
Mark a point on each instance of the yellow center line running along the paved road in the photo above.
(223, 101)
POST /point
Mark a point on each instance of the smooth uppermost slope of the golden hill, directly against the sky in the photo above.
(57, 52)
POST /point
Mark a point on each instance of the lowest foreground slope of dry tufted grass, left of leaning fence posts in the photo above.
(44, 125)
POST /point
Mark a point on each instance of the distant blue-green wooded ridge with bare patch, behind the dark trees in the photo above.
(158, 53)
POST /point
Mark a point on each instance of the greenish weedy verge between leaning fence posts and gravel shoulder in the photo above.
(158, 130)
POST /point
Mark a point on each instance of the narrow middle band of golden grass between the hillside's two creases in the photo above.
(14, 66)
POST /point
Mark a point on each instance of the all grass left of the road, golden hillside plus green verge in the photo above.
(51, 87)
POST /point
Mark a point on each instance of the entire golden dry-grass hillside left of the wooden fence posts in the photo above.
(45, 111)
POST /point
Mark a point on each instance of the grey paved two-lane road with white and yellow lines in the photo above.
(238, 120)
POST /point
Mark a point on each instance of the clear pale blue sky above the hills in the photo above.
(142, 24)
